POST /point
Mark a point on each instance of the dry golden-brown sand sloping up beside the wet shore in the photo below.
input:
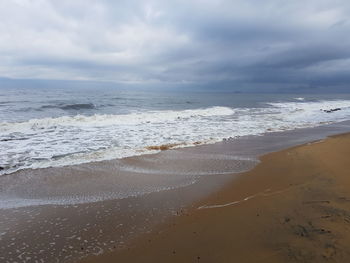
(292, 207)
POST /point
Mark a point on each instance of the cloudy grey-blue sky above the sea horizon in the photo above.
(235, 43)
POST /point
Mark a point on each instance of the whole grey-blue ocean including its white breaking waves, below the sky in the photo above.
(57, 127)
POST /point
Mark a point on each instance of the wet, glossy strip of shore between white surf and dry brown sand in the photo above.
(72, 231)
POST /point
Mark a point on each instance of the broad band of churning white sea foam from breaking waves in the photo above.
(79, 139)
